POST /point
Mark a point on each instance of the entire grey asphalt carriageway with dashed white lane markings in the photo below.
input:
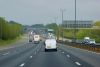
(33, 55)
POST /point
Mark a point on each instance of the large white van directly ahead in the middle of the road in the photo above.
(50, 44)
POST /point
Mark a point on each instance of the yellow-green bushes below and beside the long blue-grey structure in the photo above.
(92, 33)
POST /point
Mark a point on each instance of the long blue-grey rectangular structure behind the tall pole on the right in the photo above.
(79, 24)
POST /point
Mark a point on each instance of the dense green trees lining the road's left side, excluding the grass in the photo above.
(9, 29)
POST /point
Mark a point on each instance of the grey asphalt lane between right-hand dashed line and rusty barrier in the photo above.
(90, 57)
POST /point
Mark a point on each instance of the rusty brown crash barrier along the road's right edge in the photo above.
(95, 47)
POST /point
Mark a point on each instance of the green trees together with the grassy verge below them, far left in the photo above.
(10, 31)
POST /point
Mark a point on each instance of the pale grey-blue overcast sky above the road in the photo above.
(30, 12)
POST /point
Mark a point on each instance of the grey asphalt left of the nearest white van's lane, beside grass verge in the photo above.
(14, 56)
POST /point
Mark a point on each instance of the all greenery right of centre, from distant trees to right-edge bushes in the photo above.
(81, 33)
